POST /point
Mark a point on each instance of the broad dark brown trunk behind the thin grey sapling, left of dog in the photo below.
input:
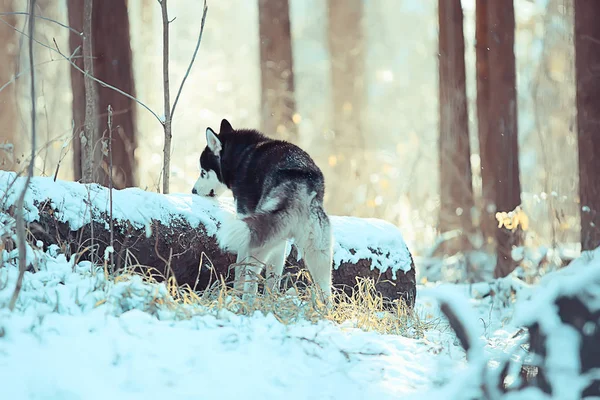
(112, 64)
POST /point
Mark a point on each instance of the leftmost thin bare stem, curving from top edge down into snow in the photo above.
(20, 219)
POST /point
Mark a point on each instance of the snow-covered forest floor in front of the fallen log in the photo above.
(78, 333)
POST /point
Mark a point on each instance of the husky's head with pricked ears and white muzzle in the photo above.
(210, 183)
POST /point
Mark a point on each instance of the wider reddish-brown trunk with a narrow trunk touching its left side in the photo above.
(502, 136)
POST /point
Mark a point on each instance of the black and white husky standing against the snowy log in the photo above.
(278, 190)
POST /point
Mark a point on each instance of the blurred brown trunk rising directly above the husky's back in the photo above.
(277, 69)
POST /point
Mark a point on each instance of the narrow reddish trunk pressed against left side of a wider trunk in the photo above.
(487, 220)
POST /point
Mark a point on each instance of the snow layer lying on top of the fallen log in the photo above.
(355, 238)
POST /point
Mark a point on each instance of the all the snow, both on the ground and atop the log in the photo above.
(76, 333)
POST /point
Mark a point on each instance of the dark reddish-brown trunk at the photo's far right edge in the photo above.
(587, 74)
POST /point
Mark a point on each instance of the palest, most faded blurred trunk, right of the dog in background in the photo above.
(346, 45)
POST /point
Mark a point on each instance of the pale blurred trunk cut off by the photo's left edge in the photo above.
(8, 100)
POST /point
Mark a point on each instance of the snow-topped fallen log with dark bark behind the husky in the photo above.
(178, 231)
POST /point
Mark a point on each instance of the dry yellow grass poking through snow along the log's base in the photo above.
(364, 309)
